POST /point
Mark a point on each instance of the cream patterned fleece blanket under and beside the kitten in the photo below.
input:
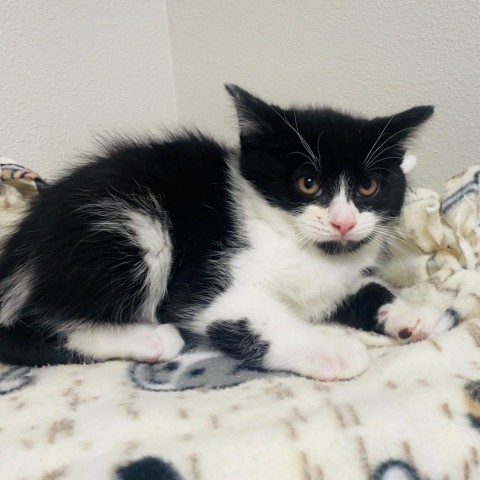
(415, 413)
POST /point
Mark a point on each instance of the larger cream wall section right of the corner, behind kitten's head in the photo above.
(371, 57)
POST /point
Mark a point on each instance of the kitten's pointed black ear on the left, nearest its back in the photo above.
(255, 117)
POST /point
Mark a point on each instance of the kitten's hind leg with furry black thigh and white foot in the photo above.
(96, 300)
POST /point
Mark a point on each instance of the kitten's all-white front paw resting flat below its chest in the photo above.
(328, 358)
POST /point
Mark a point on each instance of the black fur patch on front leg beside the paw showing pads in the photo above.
(360, 310)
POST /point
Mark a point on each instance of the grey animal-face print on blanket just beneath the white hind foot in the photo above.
(196, 369)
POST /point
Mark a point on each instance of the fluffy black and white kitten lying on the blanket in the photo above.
(253, 251)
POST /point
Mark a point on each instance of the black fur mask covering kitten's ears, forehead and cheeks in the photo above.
(273, 154)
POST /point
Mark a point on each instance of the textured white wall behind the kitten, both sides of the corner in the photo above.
(69, 69)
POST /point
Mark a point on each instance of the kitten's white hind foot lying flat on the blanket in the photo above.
(144, 343)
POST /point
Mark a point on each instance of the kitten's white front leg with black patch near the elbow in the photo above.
(259, 330)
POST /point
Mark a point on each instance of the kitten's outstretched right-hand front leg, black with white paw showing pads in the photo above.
(375, 307)
